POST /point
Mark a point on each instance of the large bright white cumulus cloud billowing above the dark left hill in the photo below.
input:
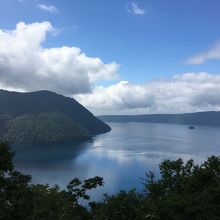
(26, 65)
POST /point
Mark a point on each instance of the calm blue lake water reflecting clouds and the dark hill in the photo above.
(121, 156)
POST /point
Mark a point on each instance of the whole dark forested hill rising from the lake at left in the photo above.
(47, 114)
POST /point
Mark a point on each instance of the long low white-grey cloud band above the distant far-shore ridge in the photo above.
(187, 92)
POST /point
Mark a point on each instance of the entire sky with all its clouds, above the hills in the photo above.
(114, 56)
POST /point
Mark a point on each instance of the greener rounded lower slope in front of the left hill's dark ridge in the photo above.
(43, 128)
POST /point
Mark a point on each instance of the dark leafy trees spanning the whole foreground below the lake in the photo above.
(184, 191)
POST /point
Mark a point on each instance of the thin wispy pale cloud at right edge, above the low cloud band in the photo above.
(213, 53)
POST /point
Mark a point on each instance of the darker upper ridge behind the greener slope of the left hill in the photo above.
(16, 104)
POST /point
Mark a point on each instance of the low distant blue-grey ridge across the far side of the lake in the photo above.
(199, 118)
